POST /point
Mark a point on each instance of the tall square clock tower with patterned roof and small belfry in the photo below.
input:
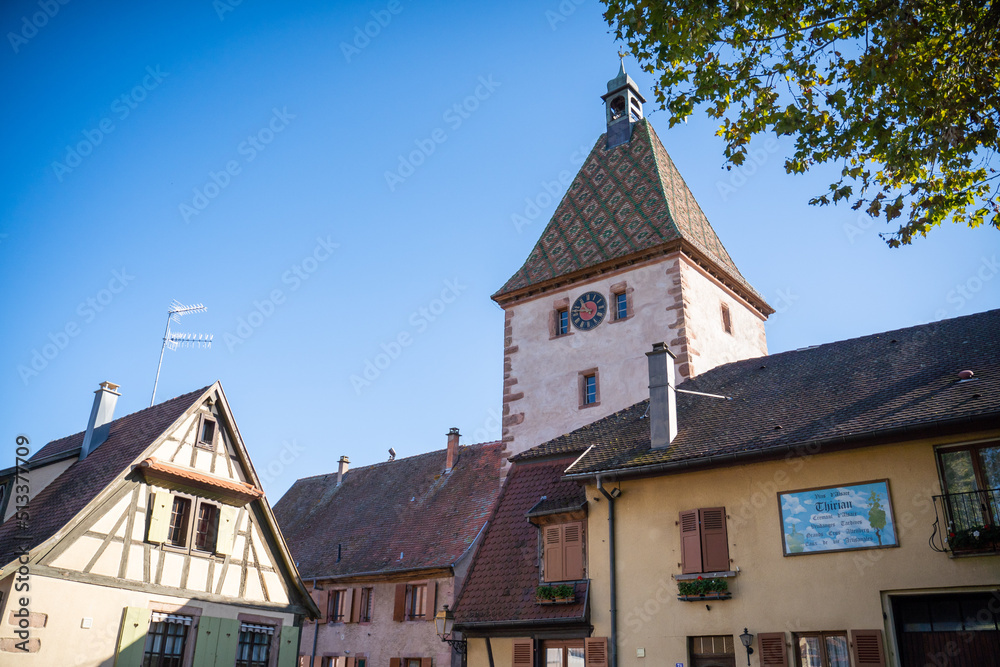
(627, 260)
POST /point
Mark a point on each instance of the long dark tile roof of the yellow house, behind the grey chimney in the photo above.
(854, 390)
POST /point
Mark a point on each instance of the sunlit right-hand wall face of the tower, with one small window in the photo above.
(710, 345)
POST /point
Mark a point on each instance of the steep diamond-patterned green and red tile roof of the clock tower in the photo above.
(631, 199)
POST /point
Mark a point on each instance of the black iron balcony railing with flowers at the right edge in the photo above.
(967, 523)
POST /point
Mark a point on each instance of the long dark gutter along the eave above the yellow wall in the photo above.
(722, 460)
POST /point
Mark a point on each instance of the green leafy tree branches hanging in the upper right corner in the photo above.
(905, 95)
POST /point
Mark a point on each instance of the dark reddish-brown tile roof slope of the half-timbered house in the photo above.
(60, 501)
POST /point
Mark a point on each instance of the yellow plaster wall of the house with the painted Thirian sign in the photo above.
(771, 593)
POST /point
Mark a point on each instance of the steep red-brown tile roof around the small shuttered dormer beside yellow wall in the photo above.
(500, 587)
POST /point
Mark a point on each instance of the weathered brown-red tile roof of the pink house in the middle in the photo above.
(393, 516)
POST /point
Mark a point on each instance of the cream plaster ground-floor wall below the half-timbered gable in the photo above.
(63, 639)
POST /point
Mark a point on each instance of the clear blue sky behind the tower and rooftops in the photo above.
(113, 117)
